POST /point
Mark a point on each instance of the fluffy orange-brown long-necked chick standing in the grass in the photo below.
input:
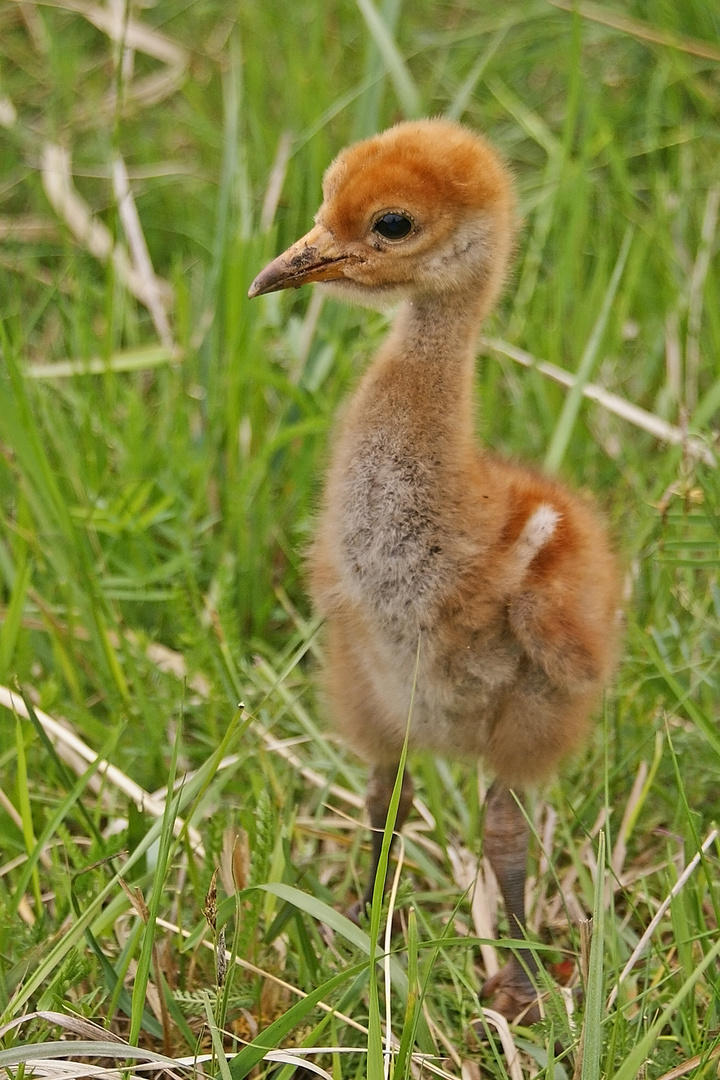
(470, 592)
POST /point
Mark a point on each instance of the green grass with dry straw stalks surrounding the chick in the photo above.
(161, 447)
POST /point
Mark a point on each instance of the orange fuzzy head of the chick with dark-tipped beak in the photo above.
(424, 209)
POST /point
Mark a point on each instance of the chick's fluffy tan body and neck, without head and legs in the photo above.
(497, 572)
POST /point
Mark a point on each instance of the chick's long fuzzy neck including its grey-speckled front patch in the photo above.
(402, 466)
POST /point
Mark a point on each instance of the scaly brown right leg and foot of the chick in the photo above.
(507, 838)
